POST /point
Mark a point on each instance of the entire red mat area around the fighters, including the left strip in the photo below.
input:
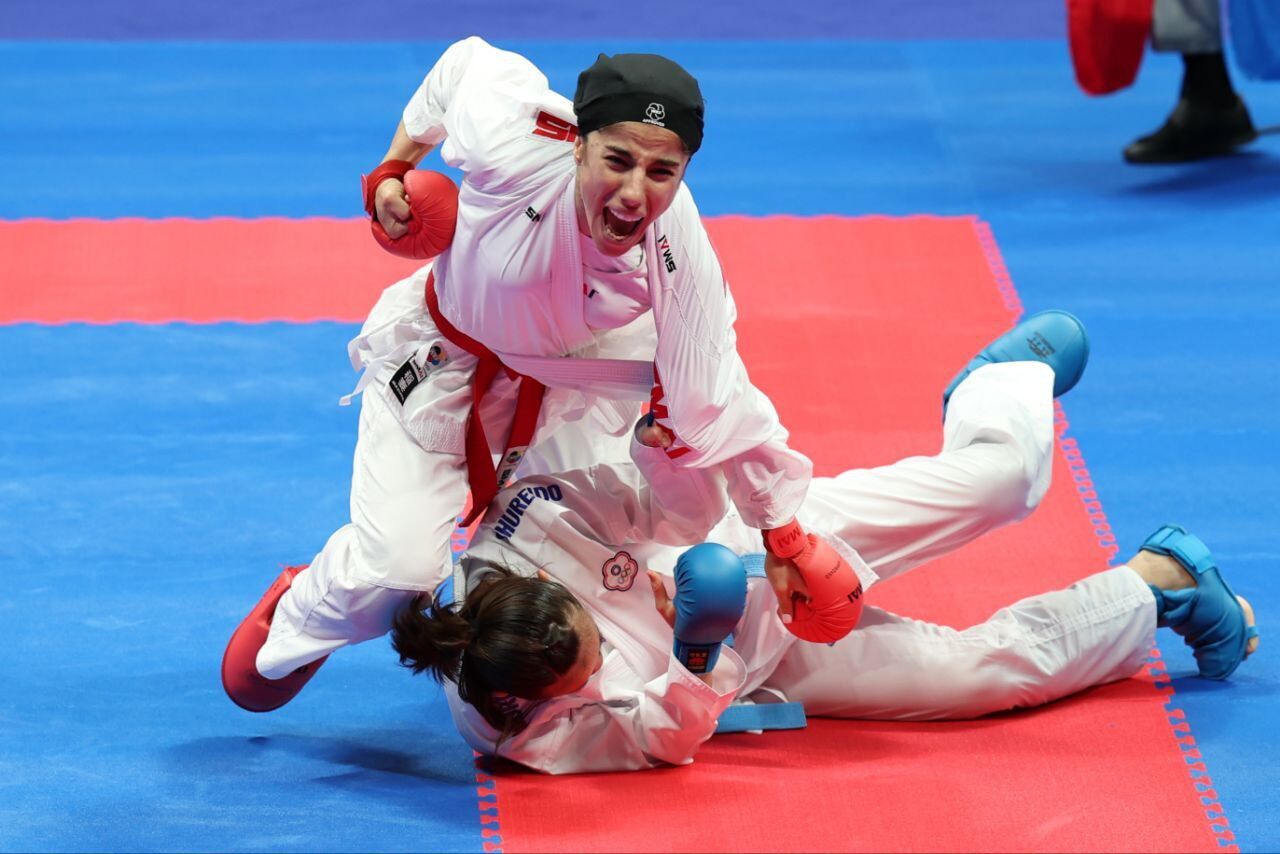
(852, 327)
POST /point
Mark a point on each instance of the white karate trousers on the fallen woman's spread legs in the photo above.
(994, 469)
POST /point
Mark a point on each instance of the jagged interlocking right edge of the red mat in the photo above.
(1214, 811)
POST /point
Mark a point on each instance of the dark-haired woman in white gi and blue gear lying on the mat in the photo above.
(560, 660)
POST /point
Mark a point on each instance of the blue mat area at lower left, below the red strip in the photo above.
(154, 481)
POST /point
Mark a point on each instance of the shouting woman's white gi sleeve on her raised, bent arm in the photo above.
(482, 102)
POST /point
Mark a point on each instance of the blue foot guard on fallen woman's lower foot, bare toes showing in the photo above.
(1209, 615)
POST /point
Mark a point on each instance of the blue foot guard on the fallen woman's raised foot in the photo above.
(1053, 337)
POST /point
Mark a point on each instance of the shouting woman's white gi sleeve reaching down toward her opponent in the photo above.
(703, 394)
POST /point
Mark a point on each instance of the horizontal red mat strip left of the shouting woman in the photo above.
(191, 271)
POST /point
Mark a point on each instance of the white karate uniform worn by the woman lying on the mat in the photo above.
(597, 529)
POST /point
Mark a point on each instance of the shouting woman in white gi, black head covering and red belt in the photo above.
(579, 264)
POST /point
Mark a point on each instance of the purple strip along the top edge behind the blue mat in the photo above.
(378, 20)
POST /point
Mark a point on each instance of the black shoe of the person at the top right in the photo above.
(1194, 133)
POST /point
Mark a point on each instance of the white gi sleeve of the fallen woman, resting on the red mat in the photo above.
(664, 724)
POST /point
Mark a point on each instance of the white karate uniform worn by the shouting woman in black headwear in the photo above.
(518, 280)
